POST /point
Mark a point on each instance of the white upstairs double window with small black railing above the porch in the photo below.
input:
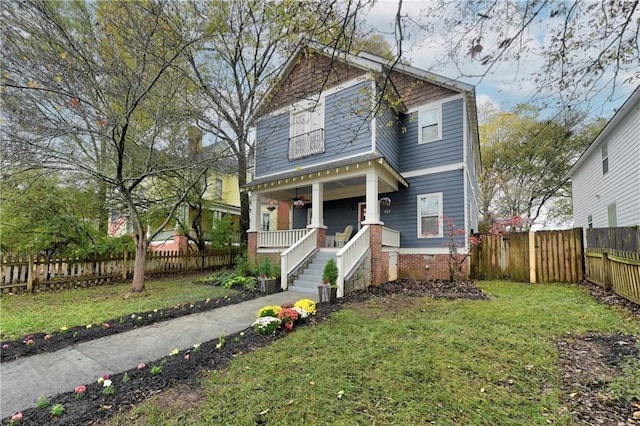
(306, 134)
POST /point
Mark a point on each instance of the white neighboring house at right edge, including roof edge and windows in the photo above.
(606, 178)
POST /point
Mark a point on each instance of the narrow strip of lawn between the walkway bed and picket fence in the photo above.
(46, 312)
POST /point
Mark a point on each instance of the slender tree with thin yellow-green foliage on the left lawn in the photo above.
(98, 88)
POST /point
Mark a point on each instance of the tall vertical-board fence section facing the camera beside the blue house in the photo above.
(542, 256)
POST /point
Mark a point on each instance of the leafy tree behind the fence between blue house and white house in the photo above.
(525, 163)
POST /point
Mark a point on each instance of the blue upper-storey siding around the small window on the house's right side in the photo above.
(448, 150)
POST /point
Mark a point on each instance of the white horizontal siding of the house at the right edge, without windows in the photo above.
(593, 192)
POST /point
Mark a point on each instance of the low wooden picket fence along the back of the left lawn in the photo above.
(29, 274)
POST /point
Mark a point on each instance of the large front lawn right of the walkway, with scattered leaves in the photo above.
(400, 360)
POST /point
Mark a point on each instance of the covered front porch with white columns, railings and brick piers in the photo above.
(323, 203)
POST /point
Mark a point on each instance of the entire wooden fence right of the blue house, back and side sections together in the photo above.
(611, 258)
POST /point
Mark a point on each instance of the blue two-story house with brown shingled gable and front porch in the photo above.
(387, 156)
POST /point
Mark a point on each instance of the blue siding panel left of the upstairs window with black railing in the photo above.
(272, 146)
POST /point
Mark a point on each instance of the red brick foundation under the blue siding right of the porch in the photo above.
(427, 267)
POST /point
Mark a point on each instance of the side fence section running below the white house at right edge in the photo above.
(613, 260)
